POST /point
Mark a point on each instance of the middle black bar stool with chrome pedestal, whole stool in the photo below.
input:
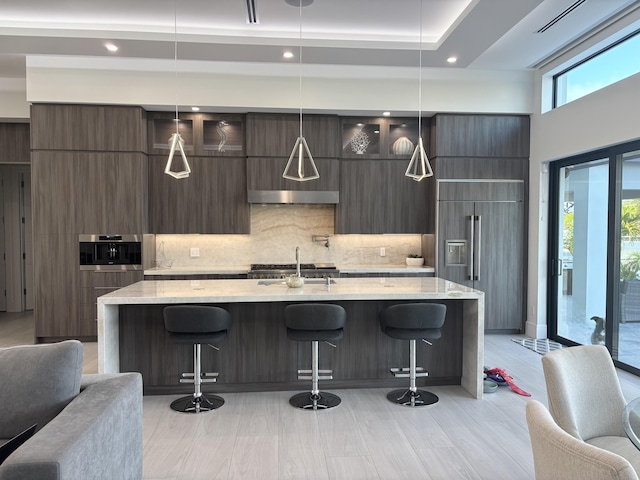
(315, 322)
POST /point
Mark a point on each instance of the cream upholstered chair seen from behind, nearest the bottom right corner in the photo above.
(556, 454)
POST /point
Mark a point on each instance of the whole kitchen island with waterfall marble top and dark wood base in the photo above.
(258, 356)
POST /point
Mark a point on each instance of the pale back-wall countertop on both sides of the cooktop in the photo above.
(241, 269)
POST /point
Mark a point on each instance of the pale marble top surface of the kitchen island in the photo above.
(218, 291)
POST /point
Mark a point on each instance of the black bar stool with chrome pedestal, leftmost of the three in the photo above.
(197, 324)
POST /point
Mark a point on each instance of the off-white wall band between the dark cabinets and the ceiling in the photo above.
(231, 87)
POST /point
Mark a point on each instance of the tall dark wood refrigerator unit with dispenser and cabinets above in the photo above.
(481, 164)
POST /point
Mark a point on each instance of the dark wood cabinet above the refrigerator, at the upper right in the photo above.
(480, 136)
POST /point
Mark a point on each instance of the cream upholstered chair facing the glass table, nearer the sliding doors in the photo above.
(585, 398)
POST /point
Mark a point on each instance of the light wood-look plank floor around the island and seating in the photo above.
(259, 436)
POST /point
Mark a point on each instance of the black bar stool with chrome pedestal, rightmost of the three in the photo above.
(413, 321)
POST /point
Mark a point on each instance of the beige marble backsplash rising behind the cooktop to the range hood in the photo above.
(276, 230)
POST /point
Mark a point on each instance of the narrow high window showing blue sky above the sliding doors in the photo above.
(616, 62)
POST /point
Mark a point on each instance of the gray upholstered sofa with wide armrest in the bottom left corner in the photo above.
(89, 426)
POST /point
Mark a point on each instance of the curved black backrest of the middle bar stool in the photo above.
(314, 316)
